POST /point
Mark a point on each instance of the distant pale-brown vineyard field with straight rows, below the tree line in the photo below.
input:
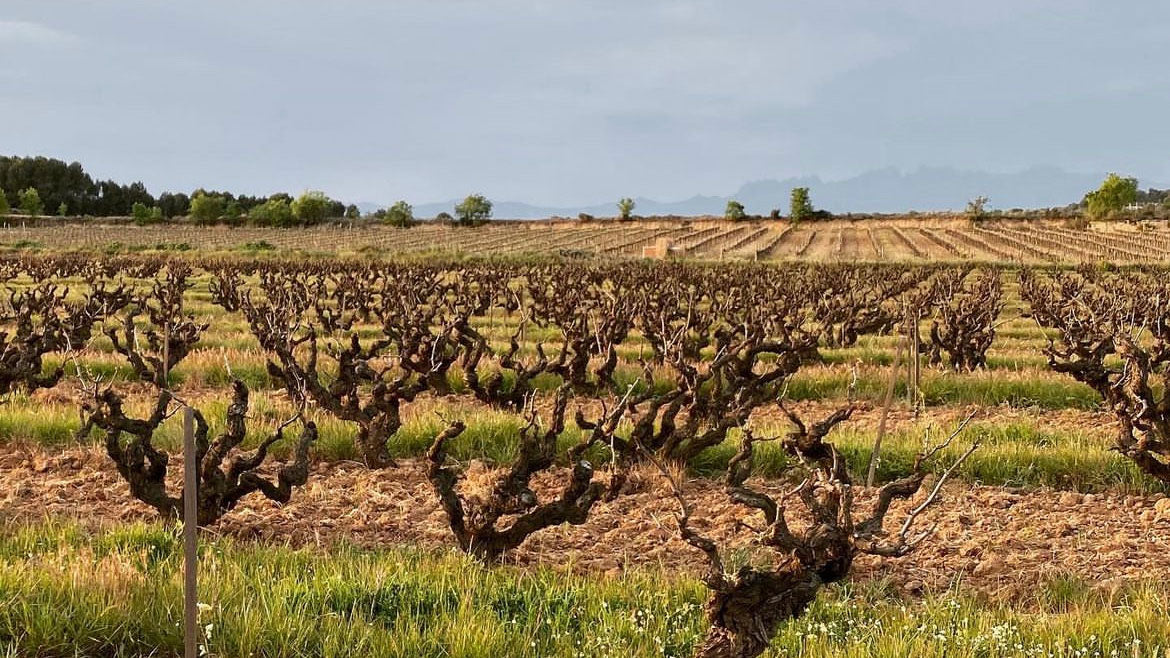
(1035, 242)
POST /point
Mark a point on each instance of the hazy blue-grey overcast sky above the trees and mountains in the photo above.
(560, 102)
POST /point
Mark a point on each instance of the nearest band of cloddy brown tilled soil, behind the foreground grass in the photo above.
(999, 542)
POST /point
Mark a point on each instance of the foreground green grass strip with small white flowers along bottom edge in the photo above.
(118, 593)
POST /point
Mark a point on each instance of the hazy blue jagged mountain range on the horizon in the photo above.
(886, 190)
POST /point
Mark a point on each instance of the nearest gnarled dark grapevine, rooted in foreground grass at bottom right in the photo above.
(746, 611)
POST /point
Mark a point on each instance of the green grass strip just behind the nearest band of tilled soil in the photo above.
(1013, 454)
